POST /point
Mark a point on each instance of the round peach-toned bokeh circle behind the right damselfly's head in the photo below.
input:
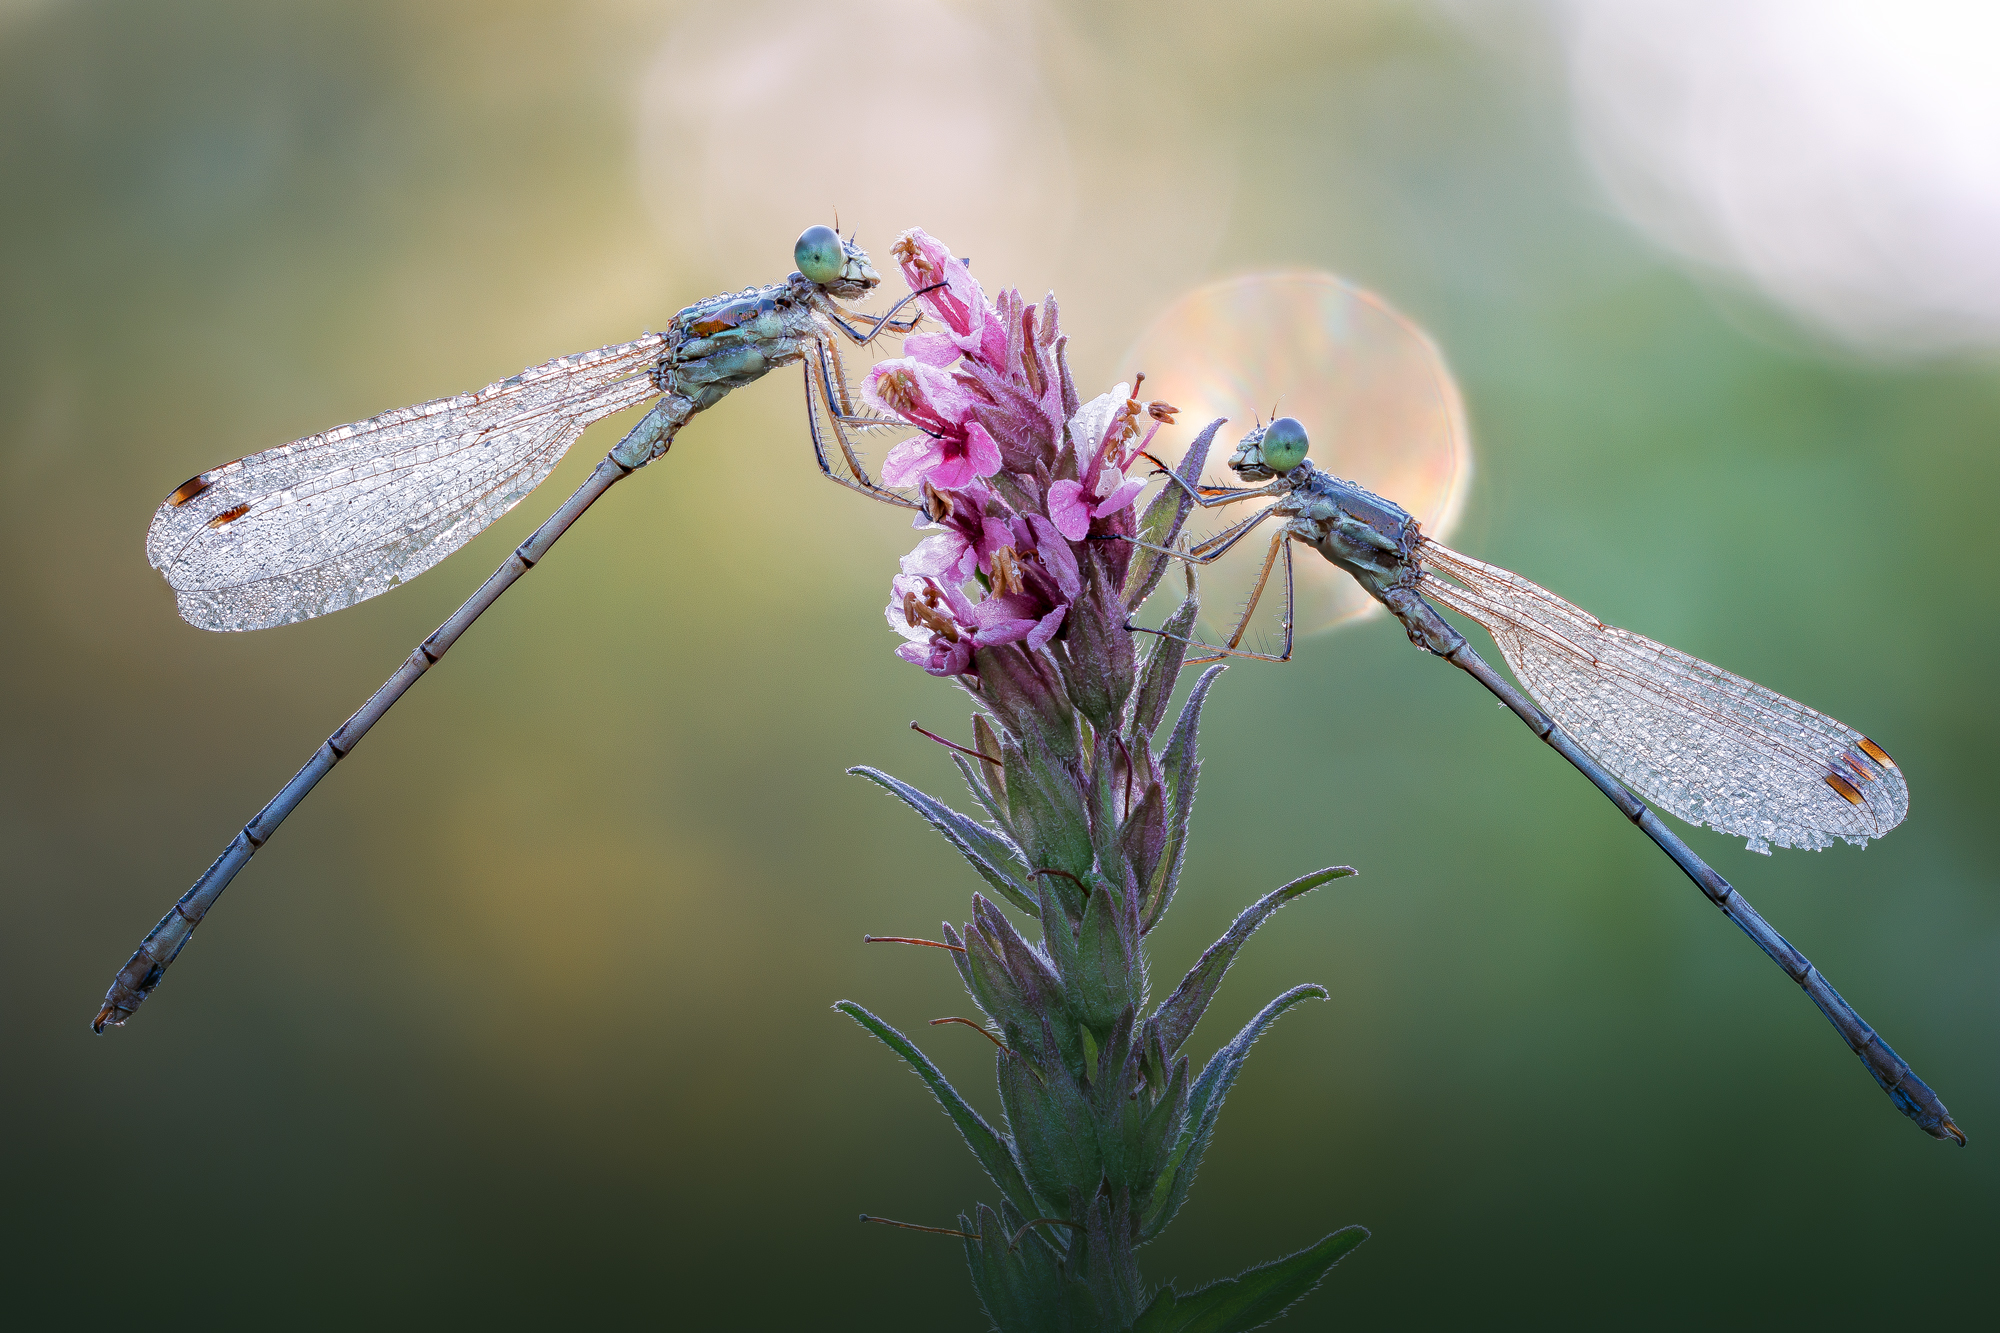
(1367, 383)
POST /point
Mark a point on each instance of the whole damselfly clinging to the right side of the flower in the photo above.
(1633, 716)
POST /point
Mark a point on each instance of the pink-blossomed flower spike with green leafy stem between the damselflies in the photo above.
(1021, 599)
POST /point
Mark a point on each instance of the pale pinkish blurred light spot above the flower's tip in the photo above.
(765, 119)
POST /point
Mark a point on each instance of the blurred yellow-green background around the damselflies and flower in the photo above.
(523, 1020)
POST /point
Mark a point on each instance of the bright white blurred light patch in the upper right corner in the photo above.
(1843, 155)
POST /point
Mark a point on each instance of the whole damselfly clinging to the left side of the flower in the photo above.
(345, 515)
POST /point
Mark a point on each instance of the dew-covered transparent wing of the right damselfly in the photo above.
(1701, 742)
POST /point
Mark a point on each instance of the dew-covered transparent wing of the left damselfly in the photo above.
(339, 517)
